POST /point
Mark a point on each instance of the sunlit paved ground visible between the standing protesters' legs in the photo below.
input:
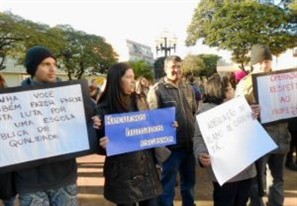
(91, 181)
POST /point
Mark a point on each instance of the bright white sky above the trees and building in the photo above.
(142, 21)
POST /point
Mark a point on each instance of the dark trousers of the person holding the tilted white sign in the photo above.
(232, 194)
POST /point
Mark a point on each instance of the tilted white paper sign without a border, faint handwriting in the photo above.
(233, 138)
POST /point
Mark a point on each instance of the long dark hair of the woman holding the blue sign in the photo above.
(112, 94)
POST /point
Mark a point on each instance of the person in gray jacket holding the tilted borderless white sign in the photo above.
(235, 192)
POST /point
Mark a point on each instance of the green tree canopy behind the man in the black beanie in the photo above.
(78, 53)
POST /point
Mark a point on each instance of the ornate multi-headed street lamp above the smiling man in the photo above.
(166, 43)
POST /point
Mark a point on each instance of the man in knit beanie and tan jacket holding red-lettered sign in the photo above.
(261, 61)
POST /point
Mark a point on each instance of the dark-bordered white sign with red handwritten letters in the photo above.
(276, 93)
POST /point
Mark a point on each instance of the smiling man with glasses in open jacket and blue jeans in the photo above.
(171, 91)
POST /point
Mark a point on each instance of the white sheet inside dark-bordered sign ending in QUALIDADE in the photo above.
(41, 123)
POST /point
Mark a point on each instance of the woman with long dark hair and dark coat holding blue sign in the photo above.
(130, 178)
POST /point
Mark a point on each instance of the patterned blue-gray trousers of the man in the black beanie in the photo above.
(64, 196)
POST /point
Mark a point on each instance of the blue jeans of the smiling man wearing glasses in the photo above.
(181, 161)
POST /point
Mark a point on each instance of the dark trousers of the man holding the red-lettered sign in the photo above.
(276, 164)
